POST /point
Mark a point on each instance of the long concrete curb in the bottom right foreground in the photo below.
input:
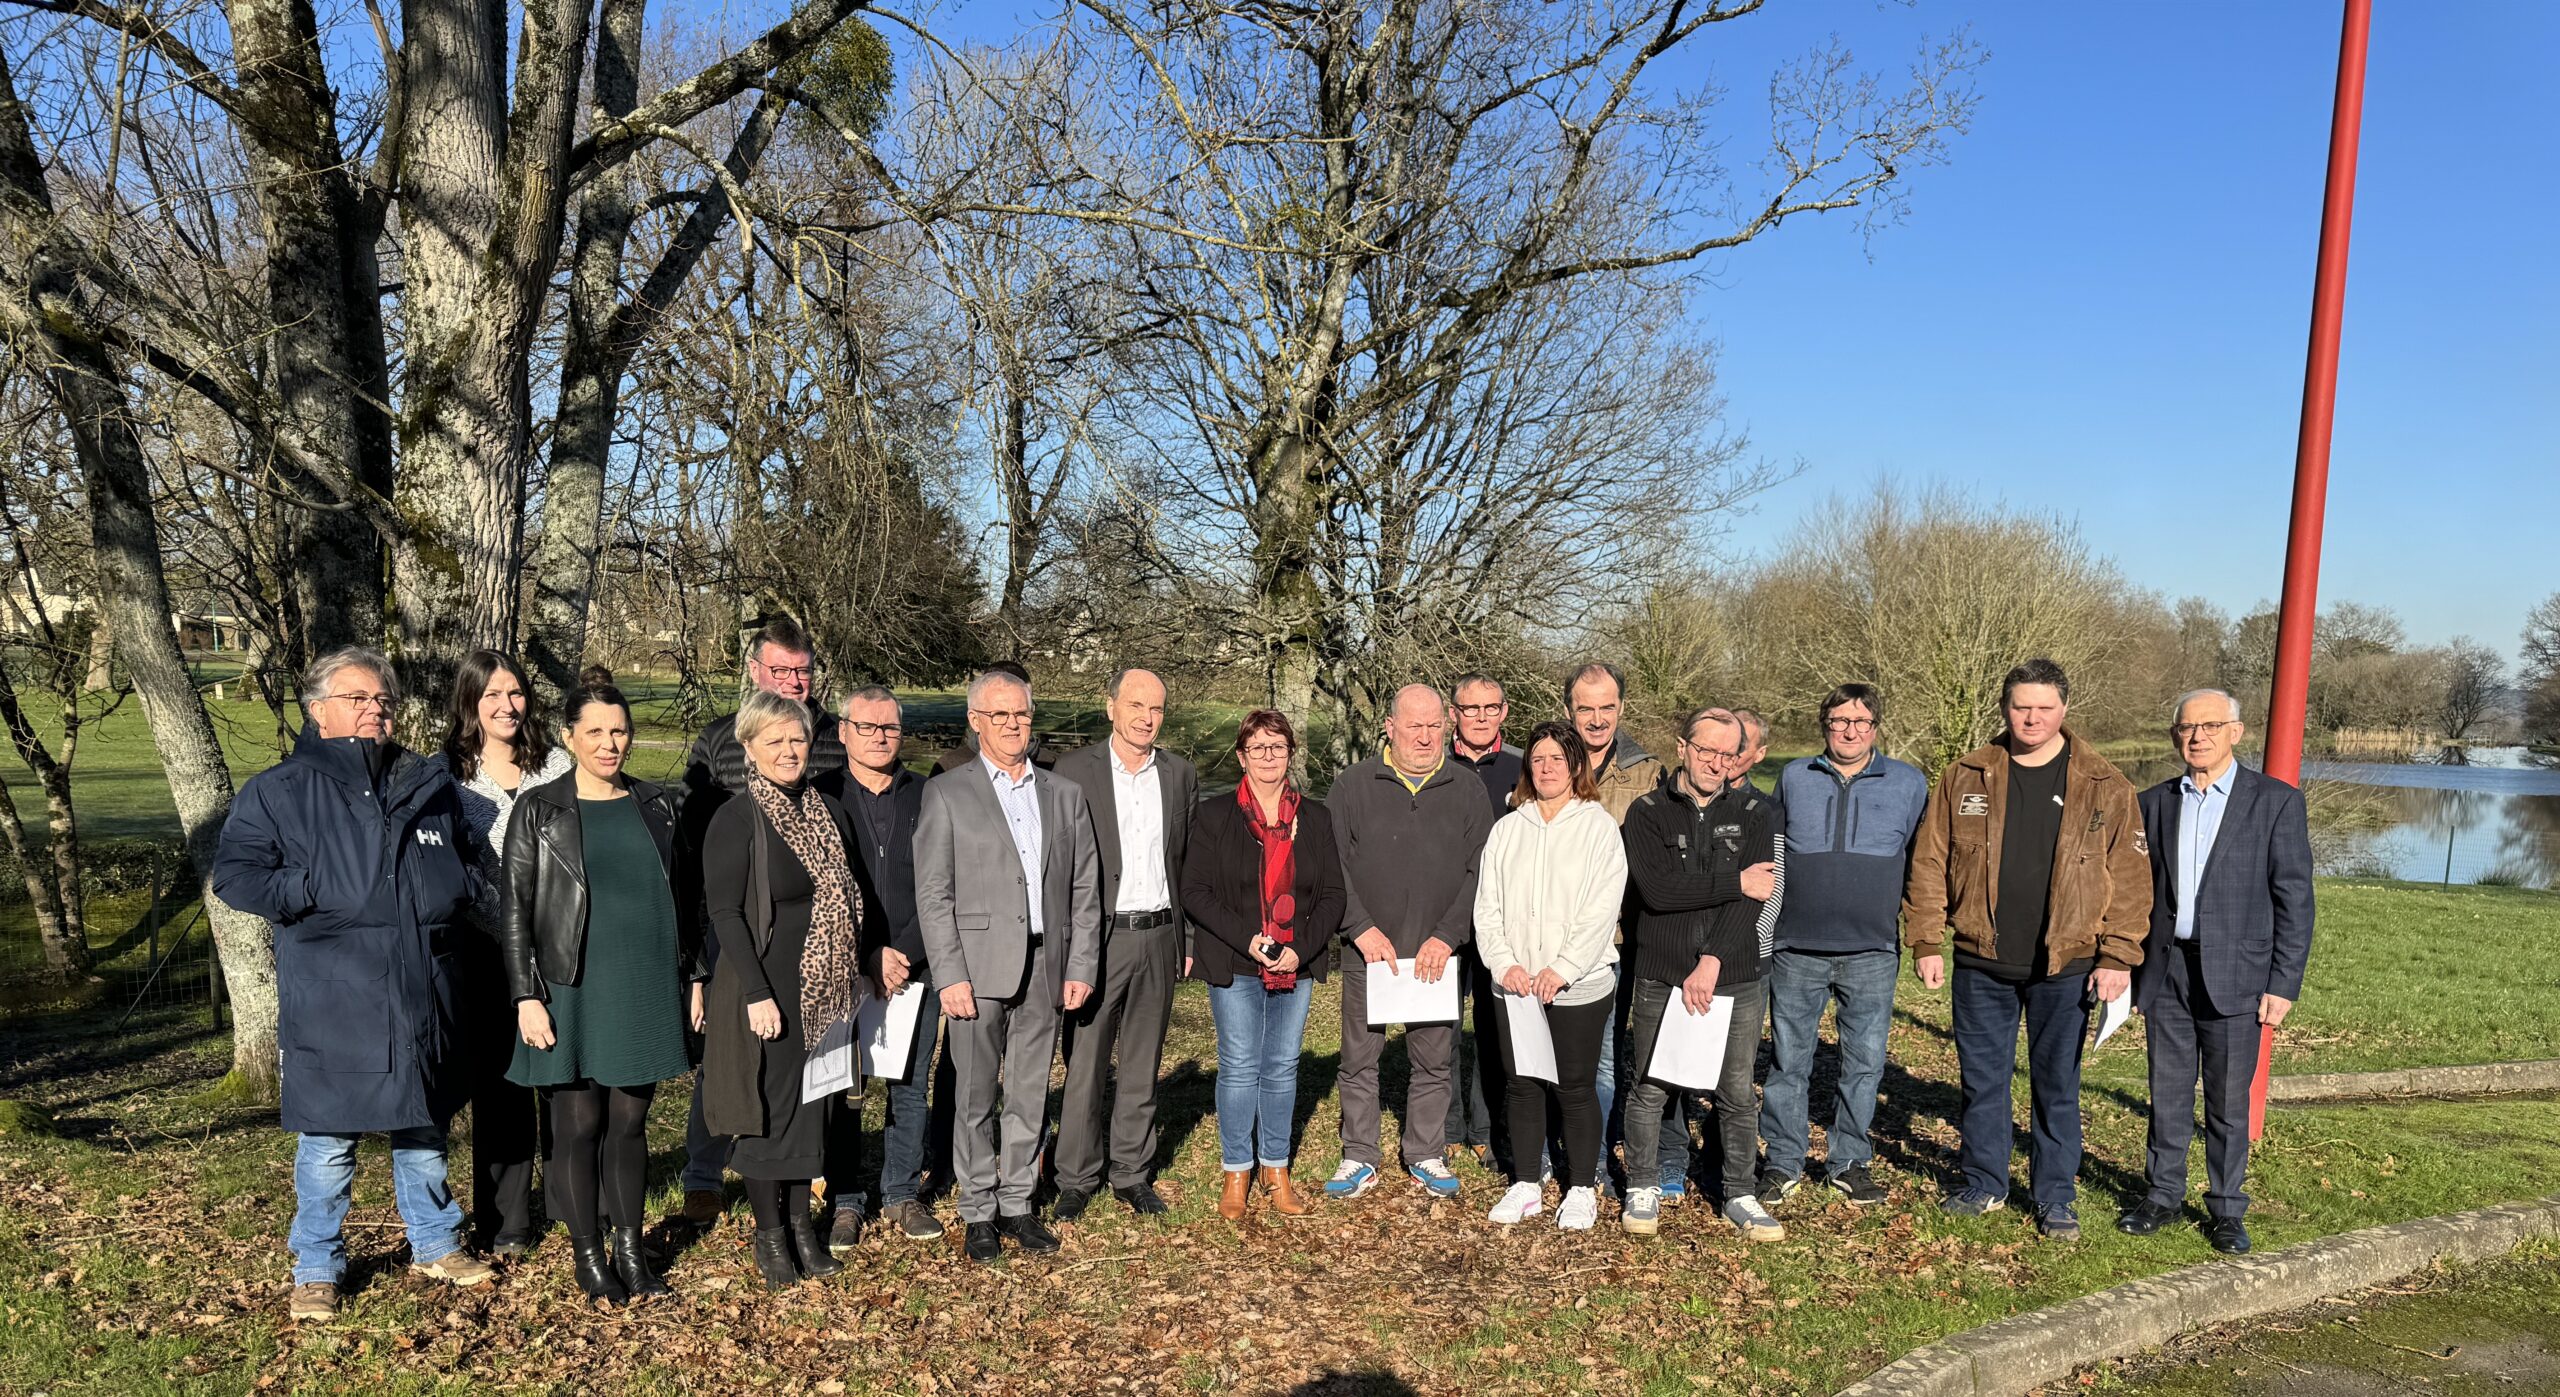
(2008, 1357)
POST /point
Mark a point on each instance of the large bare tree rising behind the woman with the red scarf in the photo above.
(1368, 206)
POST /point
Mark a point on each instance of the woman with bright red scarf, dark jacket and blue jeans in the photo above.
(1266, 887)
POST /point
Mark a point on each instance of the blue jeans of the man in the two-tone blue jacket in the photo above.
(1801, 984)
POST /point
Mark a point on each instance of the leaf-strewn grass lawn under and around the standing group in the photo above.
(142, 1250)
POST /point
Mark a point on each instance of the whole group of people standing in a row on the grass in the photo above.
(518, 920)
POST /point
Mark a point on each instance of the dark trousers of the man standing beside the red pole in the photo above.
(2190, 1040)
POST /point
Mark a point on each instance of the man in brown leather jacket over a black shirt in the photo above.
(2031, 853)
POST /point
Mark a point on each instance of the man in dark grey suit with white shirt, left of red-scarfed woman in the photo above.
(1140, 800)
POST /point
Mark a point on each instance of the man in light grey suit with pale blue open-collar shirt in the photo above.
(1010, 902)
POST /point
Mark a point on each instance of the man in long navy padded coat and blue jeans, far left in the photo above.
(355, 851)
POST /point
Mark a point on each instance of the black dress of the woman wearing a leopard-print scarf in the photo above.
(795, 1135)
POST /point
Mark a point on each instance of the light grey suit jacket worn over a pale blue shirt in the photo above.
(972, 897)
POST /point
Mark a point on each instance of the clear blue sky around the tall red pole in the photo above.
(2100, 306)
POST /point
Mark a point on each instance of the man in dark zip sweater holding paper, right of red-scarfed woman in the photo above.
(1412, 828)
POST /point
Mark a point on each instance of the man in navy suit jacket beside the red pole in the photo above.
(2231, 933)
